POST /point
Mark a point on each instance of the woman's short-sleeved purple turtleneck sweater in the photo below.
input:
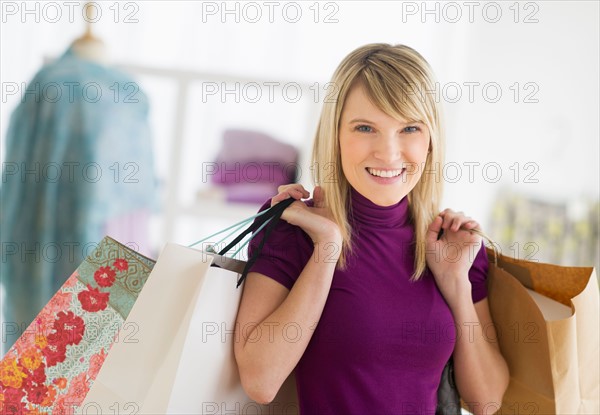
(382, 341)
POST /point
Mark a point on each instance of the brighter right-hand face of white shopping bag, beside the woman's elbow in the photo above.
(208, 381)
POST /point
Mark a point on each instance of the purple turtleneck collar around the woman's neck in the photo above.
(365, 212)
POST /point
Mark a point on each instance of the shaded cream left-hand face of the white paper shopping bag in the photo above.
(140, 374)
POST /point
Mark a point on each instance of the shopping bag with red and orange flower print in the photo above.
(52, 365)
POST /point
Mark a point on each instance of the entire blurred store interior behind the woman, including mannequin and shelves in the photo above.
(139, 110)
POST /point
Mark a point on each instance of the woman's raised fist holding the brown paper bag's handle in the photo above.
(450, 257)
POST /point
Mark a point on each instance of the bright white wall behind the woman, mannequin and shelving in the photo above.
(557, 56)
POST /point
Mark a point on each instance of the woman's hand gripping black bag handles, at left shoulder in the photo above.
(315, 221)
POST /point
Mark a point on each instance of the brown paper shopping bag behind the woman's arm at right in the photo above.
(553, 360)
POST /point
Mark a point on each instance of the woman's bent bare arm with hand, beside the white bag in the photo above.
(264, 356)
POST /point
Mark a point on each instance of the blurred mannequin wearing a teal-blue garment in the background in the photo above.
(76, 208)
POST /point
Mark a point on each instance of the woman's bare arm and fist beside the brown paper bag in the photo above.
(480, 370)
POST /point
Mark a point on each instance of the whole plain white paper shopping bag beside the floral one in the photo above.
(183, 359)
